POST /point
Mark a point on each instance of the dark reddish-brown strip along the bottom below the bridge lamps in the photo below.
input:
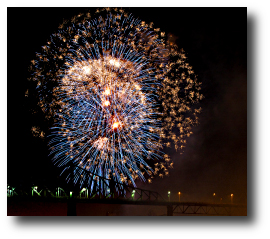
(35, 207)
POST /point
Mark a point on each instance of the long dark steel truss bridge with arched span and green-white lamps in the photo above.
(108, 191)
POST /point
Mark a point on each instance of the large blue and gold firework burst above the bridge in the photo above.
(118, 93)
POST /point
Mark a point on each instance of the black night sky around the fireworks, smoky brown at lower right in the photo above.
(215, 158)
